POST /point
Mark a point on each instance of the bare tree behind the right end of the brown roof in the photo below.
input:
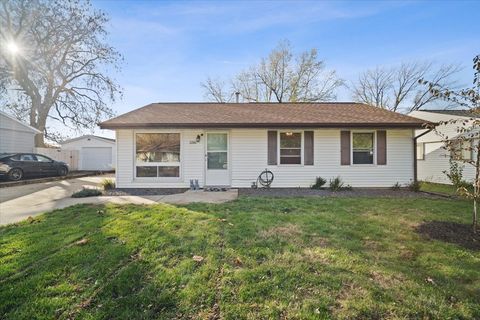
(398, 87)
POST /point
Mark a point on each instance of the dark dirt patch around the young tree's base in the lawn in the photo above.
(451, 232)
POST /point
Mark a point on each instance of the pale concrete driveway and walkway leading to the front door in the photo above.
(18, 203)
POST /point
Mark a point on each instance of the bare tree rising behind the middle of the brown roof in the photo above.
(280, 77)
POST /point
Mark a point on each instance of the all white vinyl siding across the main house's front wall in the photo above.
(248, 158)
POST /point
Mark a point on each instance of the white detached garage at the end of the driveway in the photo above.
(94, 153)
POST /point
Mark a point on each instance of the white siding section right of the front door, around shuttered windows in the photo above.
(249, 159)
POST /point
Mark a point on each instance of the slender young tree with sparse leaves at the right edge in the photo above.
(468, 138)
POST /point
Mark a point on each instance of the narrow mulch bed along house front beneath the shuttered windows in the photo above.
(356, 192)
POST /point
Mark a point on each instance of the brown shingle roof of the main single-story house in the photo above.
(260, 115)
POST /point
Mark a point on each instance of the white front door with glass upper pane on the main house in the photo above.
(217, 164)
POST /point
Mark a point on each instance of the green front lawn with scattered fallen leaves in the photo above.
(264, 258)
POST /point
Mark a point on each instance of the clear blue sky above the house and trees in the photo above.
(170, 47)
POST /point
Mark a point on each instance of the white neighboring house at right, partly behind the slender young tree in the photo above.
(432, 158)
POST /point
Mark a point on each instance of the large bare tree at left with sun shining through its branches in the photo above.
(54, 63)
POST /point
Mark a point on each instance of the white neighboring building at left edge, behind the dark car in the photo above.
(16, 136)
